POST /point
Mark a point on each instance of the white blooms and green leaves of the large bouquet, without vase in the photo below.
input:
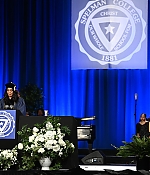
(44, 140)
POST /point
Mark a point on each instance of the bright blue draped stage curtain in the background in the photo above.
(35, 47)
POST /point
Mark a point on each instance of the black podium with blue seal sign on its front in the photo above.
(9, 124)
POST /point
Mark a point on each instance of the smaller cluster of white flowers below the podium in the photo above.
(8, 157)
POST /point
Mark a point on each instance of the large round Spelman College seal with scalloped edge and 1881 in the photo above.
(110, 31)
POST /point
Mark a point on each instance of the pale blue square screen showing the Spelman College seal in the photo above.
(109, 34)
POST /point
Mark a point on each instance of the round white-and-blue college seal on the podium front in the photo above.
(7, 124)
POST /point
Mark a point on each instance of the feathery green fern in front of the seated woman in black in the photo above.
(139, 147)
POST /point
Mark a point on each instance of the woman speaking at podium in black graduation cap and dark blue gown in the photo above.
(11, 100)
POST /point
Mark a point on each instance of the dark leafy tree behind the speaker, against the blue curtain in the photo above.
(33, 97)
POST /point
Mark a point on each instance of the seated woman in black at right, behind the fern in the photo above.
(142, 127)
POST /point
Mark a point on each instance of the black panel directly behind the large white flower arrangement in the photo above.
(70, 122)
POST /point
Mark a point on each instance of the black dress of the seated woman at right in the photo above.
(143, 130)
